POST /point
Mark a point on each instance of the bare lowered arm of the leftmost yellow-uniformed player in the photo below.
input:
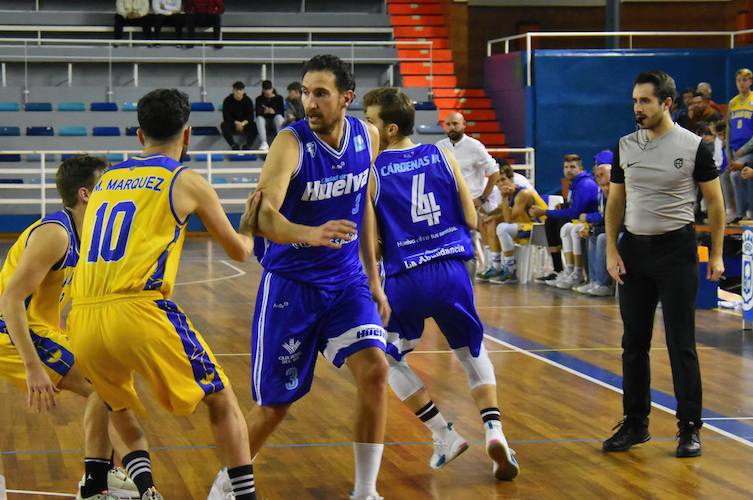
(45, 247)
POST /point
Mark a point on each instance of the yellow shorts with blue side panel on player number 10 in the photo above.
(120, 335)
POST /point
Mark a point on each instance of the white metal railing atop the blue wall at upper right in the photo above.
(528, 37)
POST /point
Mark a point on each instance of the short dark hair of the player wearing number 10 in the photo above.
(163, 113)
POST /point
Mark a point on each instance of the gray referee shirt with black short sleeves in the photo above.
(660, 177)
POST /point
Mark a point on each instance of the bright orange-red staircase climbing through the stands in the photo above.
(423, 20)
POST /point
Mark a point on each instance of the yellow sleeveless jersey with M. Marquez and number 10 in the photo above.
(131, 238)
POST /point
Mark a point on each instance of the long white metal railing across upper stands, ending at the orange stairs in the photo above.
(202, 60)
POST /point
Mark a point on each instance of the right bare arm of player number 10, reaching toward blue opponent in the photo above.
(192, 193)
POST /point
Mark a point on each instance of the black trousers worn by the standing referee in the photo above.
(660, 268)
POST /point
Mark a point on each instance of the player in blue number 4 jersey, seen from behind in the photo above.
(424, 214)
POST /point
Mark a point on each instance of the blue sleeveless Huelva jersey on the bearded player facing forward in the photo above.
(327, 185)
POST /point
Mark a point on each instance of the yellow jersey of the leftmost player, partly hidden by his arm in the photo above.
(45, 304)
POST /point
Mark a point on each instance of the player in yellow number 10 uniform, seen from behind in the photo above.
(131, 242)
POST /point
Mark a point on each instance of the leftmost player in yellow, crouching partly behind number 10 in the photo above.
(34, 350)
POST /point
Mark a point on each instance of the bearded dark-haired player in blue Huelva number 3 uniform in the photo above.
(314, 296)
